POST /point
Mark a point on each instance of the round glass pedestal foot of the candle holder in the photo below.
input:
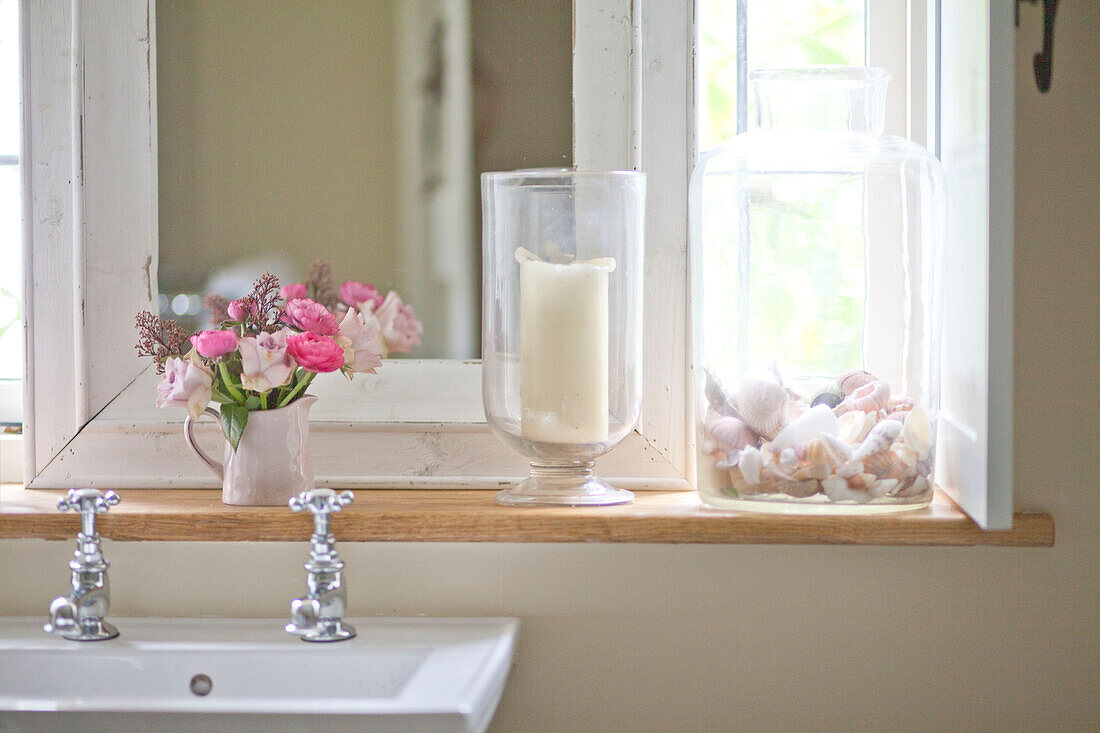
(564, 486)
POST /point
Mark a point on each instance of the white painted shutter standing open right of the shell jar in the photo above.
(975, 453)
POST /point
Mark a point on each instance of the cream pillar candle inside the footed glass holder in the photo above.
(564, 321)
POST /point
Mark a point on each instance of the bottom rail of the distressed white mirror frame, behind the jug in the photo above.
(365, 434)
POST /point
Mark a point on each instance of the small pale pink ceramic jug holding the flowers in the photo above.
(272, 462)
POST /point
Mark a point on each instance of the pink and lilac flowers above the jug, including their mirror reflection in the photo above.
(269, 346)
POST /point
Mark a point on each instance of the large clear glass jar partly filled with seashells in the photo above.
(816, 248)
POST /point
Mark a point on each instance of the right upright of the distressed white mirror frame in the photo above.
(644, 95)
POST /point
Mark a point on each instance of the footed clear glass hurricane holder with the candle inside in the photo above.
(562, 325)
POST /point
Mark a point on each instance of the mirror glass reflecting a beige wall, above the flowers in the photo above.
(354, 132)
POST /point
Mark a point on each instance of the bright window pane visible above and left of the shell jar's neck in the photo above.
(776, 35)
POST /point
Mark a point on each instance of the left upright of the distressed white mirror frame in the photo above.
(91, 238)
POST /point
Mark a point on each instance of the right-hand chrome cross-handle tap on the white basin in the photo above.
(318, 617)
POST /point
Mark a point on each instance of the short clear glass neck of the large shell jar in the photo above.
(821, 100)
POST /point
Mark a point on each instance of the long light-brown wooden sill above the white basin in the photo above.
(382, 516)
